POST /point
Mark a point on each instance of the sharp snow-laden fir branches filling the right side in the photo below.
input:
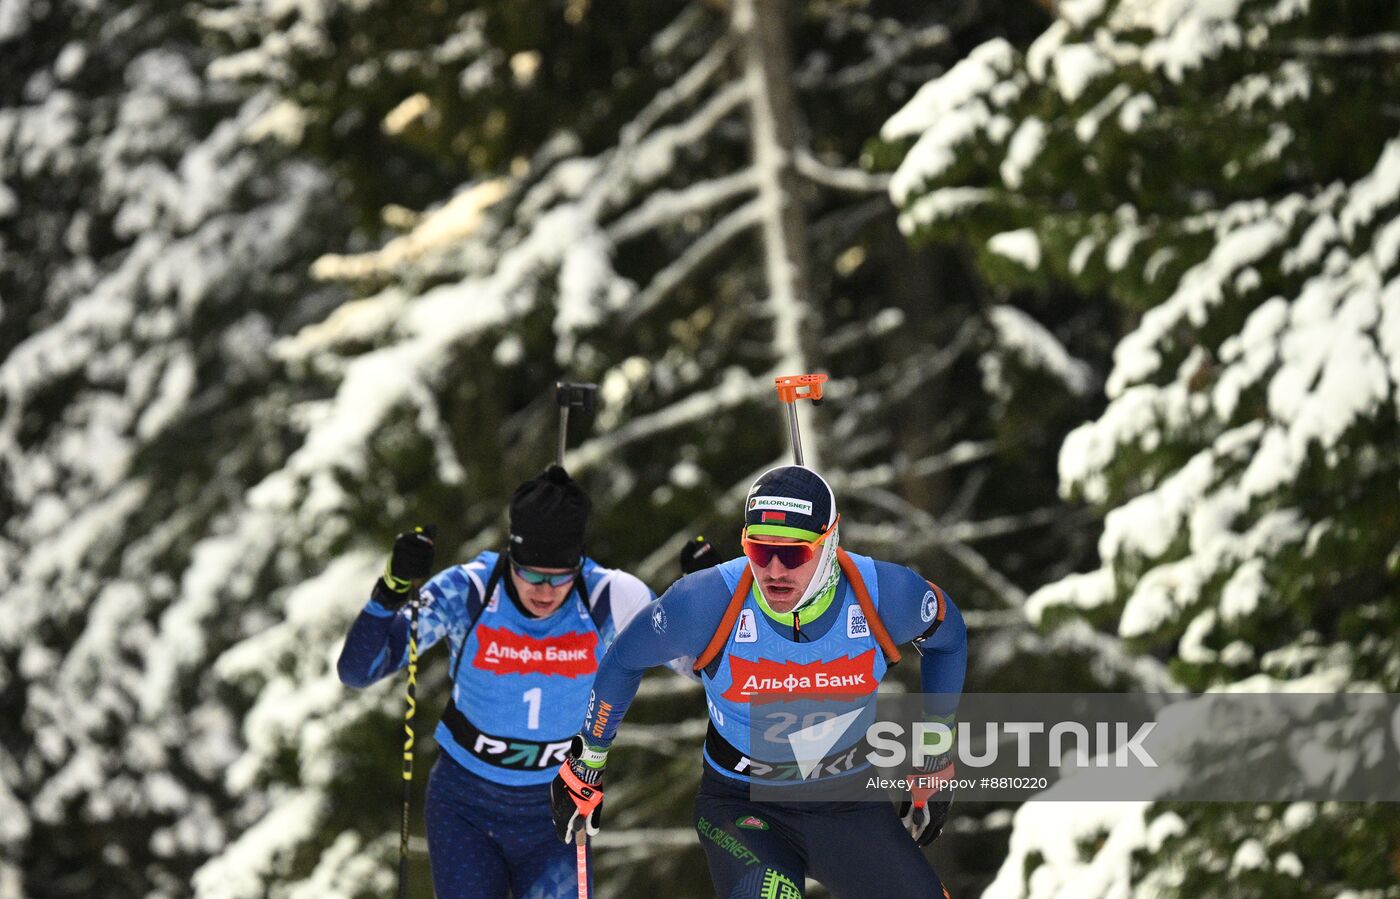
(1230, 174)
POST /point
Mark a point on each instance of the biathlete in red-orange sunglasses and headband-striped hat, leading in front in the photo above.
(794, 615)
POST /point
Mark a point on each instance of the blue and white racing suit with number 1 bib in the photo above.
(519, 690)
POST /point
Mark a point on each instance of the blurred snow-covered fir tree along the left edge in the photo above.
(150, 251)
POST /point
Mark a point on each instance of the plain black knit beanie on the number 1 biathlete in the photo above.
(548, 520)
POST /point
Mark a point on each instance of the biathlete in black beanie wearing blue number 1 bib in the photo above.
(526, 632)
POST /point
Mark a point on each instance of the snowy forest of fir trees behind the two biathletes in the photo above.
(1109, 293)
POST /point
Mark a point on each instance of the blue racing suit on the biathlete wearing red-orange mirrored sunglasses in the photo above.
(768, 848)
